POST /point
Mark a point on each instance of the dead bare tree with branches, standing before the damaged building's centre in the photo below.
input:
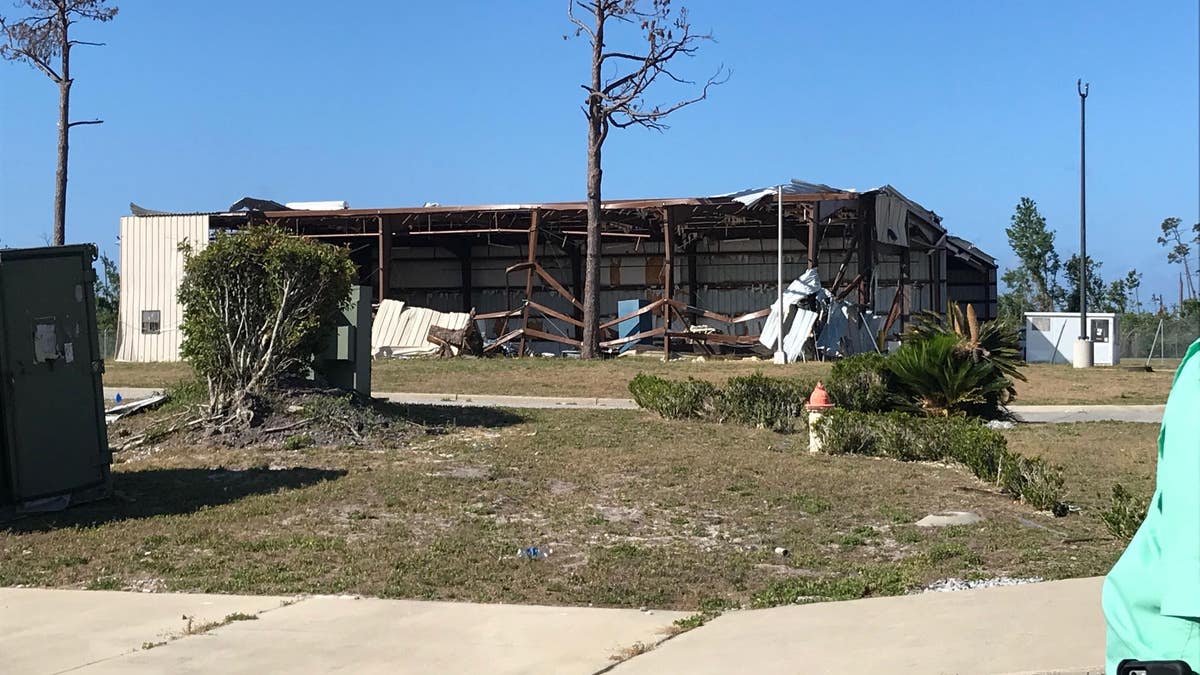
(616, 98)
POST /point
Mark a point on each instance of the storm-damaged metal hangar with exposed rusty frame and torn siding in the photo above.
(676, 274)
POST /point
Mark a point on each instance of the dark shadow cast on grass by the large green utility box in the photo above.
(173, 492)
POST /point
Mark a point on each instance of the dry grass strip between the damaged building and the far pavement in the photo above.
(610, 379)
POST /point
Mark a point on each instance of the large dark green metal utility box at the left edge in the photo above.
(53, 440)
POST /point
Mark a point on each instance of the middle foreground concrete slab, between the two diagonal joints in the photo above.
(326, 635)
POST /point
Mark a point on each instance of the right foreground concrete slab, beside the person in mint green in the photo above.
(1052, 628)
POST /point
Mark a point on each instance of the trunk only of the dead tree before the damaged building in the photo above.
(597, 128)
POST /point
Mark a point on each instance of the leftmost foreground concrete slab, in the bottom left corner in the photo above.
(51, 631)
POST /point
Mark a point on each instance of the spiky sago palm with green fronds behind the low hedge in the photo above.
(934, 377)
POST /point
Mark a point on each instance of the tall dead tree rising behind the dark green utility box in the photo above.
(38, 40)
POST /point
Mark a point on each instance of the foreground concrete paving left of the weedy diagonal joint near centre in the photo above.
(95, 632)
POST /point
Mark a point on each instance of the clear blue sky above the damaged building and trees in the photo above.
(963, 105)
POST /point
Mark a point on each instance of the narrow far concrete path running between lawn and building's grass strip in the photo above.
(1151, 415)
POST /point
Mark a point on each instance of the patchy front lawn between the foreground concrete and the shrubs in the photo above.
(638, 511)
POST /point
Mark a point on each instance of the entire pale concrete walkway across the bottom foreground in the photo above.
(1054, 628)
